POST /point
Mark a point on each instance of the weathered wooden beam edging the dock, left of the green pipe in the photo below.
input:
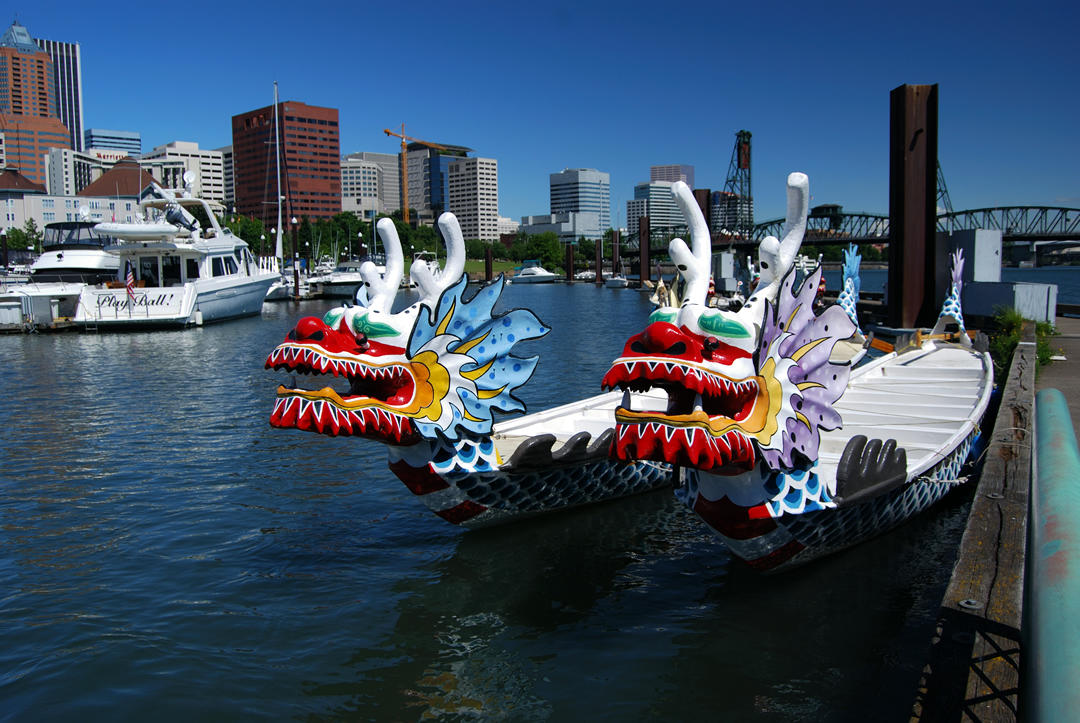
(974, 672)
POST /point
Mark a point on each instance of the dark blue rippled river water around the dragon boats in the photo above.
(166, 554)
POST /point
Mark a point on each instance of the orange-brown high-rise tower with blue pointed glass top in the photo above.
(30, 117)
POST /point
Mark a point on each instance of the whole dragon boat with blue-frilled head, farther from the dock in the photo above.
(427, 382)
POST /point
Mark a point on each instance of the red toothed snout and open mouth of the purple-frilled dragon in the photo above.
(710, 419)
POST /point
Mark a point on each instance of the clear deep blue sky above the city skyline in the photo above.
(613, 86)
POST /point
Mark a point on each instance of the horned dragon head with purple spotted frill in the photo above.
(745, 389)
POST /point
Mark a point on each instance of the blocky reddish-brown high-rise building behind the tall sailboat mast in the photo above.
(310, 162)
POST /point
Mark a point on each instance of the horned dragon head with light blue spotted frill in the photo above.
(436, 370)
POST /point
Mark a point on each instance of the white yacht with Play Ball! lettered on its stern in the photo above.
(173, 273)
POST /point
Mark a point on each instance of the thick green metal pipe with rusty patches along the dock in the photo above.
(1054, 655)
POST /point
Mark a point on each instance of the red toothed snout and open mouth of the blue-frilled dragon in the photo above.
(383, 385)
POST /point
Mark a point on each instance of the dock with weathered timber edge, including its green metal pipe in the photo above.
(988, 660)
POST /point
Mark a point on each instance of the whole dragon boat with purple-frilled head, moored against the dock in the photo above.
(789, 441)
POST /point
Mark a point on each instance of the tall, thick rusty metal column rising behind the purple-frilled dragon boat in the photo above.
(913, 198)
